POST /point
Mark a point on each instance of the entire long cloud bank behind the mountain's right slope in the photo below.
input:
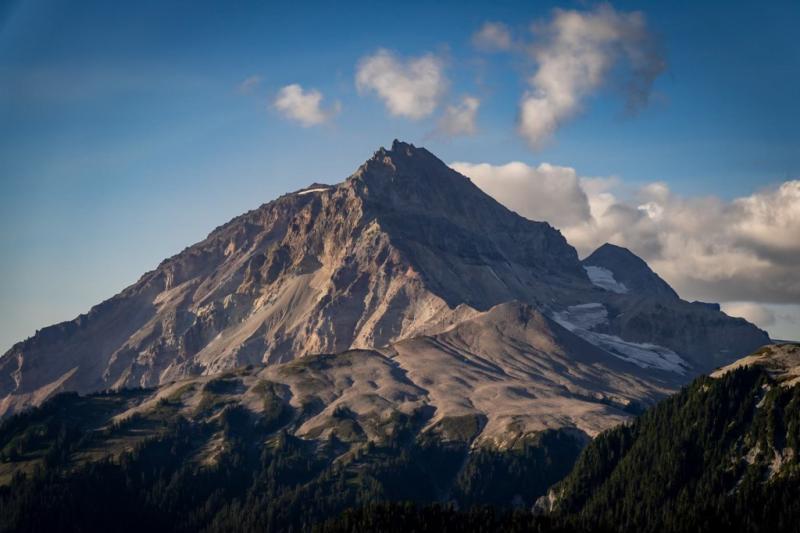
(742, 250)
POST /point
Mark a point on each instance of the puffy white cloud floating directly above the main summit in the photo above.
(410, 88)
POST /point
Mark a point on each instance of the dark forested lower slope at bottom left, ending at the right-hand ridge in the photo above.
(229, 470)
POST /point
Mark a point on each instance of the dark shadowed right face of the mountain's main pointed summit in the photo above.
(465, 244)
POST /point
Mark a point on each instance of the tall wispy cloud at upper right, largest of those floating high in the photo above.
(575, 53)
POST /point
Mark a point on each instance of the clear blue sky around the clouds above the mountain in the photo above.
(125, 135)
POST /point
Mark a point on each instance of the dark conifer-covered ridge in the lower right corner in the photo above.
(722, 455)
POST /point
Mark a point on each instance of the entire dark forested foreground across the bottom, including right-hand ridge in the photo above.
(722, 453)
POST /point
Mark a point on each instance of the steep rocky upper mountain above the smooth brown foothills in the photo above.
(403, 250)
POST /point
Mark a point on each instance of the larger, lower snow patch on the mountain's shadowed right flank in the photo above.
(582, 319)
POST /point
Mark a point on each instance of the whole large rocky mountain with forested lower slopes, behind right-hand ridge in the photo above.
(399, 336)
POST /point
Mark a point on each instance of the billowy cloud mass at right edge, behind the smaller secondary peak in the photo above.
(746, 249)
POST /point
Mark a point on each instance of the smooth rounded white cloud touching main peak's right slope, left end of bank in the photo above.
(546, 192)
